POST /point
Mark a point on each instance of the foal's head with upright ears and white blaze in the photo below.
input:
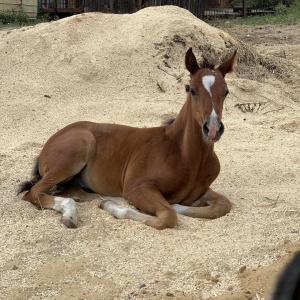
(208, 91)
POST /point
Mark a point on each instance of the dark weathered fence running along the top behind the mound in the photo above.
(202, 9)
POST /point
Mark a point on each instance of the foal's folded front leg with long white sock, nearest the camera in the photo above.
(150, 201)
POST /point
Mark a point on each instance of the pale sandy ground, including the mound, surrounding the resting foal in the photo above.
(129, 69)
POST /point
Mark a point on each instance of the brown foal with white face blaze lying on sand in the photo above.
(161, 171)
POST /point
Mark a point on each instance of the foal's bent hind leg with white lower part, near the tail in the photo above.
(64, 156)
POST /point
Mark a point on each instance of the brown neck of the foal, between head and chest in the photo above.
(188, 134)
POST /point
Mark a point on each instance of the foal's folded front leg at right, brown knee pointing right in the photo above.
(210, 206)
